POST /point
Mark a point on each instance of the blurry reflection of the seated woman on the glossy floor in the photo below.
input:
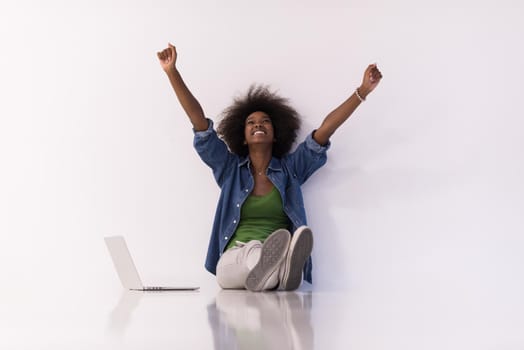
(276, 320)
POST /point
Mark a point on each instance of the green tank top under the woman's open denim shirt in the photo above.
(259, 217)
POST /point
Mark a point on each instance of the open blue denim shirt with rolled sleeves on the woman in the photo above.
(236, 182)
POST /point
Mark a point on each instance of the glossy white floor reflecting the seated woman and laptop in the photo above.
(411, 316)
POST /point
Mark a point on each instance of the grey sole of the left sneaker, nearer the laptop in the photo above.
(273, 253)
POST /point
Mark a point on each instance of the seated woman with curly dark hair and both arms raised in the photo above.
(260, 202)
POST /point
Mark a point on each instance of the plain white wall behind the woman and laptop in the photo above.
(423, 187)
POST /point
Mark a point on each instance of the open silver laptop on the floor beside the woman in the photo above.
(125, 267)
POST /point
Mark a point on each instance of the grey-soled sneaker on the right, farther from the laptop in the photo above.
(299, 251)
